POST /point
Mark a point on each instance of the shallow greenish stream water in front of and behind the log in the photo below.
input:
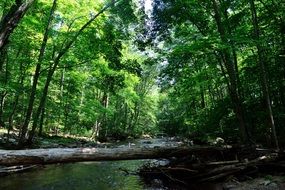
(86, 175)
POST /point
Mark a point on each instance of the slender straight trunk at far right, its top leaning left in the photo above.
(263, 75)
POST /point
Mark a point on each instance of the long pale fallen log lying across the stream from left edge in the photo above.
(64, 155)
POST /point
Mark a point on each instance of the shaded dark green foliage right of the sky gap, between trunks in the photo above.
(198, 86)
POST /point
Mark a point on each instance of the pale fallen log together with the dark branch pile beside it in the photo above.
(187, 164)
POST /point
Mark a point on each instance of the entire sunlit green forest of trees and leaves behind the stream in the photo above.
(118, 69)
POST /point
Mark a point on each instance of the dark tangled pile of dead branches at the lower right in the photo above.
(207, 168)
